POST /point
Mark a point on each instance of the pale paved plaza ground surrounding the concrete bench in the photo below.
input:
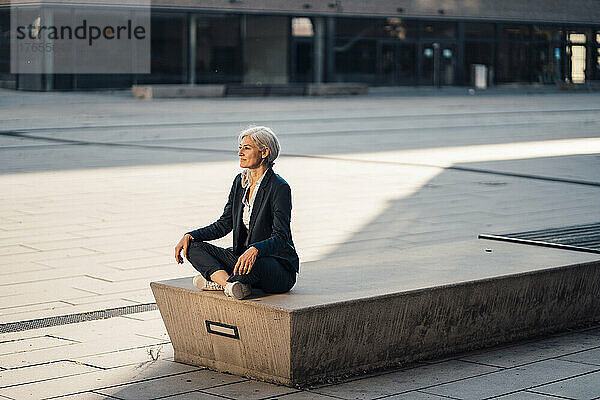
(97, 188)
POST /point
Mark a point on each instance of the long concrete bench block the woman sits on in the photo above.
(320, 330)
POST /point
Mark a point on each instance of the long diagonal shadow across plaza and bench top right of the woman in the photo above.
(411, 242)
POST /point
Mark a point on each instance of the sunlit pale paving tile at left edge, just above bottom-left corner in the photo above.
(41, 372)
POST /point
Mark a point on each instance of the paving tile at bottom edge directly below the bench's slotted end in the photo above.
(160, 387)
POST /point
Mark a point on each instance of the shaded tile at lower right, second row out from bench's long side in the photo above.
(510, 380)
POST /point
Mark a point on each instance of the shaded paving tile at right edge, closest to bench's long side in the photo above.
(524, 353)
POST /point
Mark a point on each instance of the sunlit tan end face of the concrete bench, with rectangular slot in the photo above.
(262, 349)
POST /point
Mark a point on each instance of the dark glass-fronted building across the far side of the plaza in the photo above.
(409, 42)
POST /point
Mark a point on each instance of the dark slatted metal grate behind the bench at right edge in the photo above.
(576, 237)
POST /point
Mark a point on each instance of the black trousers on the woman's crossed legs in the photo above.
(266, 273)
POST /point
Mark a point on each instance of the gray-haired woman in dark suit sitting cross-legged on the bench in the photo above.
(258, 211)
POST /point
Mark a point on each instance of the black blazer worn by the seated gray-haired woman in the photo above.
(269, 228)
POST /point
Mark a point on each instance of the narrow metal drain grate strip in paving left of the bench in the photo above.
(74, 318)
